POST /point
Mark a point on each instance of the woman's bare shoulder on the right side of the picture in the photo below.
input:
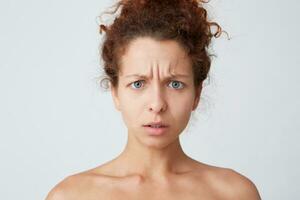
(232, 185)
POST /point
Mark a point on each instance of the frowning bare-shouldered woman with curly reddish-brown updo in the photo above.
(155, 58)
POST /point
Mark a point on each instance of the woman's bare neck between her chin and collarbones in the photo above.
(151, 161)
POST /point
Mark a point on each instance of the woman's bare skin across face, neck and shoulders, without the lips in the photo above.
(155, 167)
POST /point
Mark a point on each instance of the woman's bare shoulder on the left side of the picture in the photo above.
(77, 186)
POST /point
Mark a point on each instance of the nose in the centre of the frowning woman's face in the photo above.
(157, 100)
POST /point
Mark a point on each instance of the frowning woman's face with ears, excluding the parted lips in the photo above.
(147, 93)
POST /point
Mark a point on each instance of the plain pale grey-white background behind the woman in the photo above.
(55, 120)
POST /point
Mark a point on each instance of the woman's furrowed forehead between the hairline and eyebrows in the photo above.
(146, 54)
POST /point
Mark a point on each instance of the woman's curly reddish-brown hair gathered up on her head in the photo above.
(184, 21)
